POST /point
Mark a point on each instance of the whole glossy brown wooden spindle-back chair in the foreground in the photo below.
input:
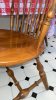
(17, 47)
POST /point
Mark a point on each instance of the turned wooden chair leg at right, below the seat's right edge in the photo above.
(42, 73)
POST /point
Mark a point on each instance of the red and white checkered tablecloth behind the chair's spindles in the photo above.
(5, 6)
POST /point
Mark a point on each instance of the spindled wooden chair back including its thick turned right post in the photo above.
(43, 24)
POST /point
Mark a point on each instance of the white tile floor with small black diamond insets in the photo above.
(27, 73)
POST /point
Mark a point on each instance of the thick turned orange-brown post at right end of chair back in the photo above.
(46, 24)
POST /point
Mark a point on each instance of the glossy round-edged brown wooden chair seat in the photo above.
(17, 48)
